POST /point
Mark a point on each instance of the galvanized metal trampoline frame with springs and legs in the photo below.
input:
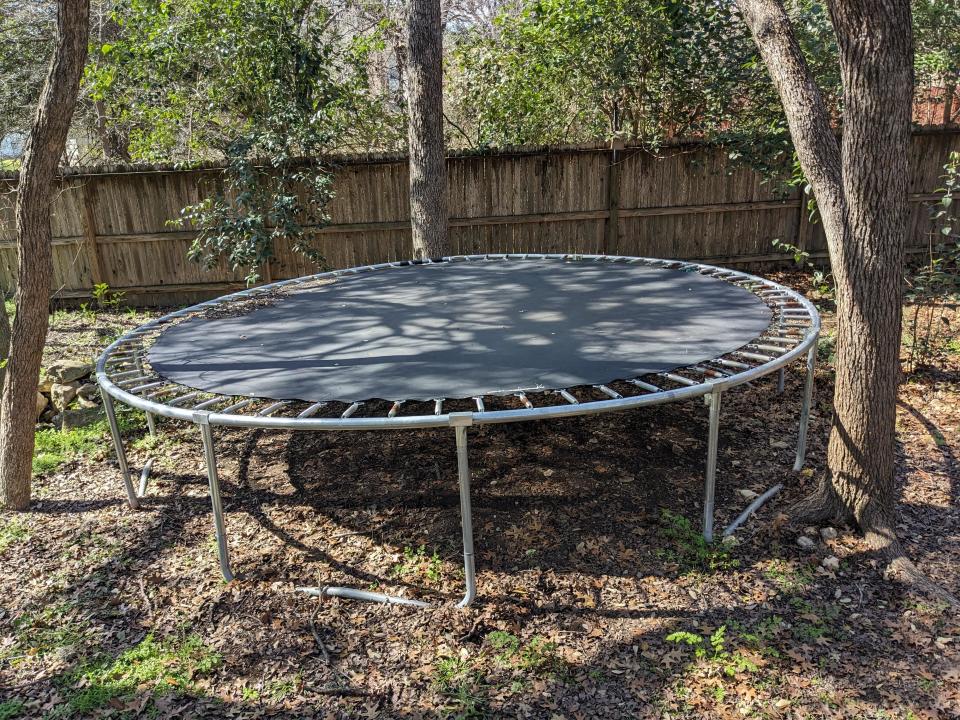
(122, 376)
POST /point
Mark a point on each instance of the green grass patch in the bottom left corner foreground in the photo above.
(158, 666)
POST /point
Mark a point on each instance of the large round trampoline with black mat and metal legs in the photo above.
(454, 343)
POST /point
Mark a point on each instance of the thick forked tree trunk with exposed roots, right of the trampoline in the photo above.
(861, 191)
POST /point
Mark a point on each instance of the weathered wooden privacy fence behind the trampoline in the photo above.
(688, 202)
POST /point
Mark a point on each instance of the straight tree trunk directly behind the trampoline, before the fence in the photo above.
(424, 91)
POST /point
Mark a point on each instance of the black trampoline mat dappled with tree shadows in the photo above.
(463, 329)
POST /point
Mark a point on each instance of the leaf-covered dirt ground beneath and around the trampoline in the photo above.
(596, 597)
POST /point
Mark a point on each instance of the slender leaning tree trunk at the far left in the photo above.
(43, 151)
